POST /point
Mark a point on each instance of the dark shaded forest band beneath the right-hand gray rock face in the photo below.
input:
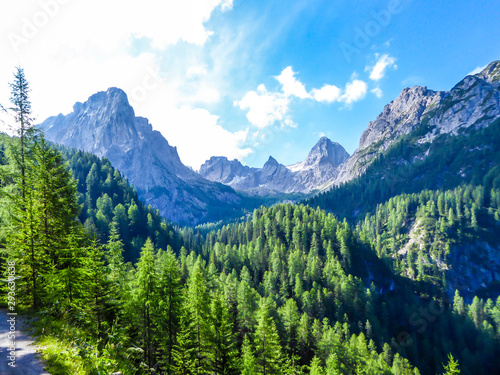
(470, 157)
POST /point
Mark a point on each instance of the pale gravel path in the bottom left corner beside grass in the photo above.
(27, 361)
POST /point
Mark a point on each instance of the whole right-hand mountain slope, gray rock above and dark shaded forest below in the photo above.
(454, 142)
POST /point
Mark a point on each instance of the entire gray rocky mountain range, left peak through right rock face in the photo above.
(106, 126)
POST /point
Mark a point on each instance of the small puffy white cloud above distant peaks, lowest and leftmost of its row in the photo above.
(264, 108)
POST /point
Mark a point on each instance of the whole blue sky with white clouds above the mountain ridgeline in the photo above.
(246, 79)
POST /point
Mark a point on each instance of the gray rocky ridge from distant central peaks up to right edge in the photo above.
(473, 102)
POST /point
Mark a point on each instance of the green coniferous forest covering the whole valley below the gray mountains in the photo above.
(288, 289)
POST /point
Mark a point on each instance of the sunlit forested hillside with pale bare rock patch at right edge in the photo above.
(447, 238)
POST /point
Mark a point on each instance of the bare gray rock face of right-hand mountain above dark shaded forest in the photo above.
(473, 102)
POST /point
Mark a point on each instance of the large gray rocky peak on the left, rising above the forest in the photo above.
(106, 126)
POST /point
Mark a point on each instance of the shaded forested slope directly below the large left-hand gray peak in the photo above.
(109, 200)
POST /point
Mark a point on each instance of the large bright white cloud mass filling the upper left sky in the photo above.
(72, 49)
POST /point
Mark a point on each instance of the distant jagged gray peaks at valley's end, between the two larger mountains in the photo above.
(320, 166)
